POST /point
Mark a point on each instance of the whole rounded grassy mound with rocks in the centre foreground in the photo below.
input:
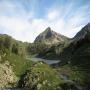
(43, 75)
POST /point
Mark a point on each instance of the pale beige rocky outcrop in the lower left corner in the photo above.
(7, 76)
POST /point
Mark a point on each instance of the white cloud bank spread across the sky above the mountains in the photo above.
(26, 26)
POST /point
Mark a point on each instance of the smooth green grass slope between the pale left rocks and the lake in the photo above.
(19, 64)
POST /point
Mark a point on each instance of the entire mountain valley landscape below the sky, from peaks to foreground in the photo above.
(20, 69)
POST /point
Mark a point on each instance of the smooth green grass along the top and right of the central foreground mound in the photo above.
(50, 73)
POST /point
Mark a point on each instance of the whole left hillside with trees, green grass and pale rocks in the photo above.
(12, 54)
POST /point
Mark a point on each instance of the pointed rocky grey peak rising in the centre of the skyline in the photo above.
(50, 37)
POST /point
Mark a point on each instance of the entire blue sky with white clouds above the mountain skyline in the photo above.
(25, 19)
